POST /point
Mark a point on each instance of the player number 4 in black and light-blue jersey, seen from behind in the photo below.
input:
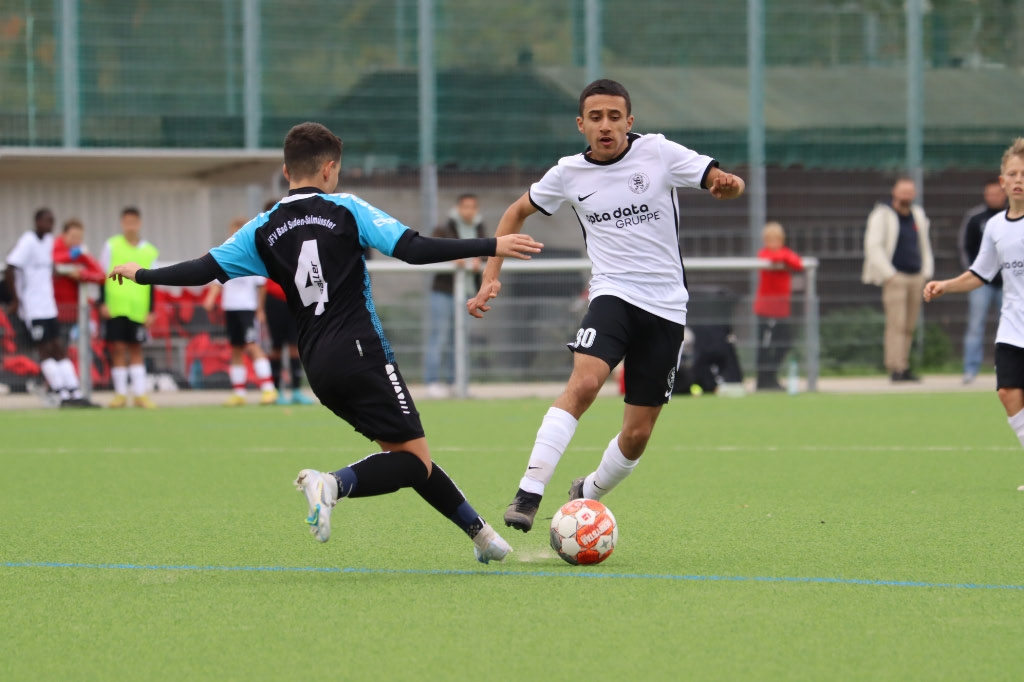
(314, 244)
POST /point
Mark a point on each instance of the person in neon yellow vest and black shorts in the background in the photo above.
(129, 312)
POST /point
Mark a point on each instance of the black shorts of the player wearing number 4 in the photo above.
(375, 402)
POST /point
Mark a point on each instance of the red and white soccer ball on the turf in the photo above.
(584, 532)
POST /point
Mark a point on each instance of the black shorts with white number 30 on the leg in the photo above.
(614, 330)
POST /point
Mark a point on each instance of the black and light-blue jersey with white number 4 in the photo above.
(314, 245)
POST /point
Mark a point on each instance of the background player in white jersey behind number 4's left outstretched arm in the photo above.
(243, 302)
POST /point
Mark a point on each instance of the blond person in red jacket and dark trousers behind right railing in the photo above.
(772, 306)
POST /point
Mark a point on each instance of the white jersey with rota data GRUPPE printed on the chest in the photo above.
(630, 218)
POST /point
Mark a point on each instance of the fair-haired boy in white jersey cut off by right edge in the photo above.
(1003, 252)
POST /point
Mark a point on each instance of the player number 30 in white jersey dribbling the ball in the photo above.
(623, 190)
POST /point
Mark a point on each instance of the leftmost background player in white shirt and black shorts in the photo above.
(30, 281)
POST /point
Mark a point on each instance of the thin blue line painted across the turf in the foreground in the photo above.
(578, 574)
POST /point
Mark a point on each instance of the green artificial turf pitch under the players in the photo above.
(771, 538)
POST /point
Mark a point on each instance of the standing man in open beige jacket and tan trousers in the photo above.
(899, 259)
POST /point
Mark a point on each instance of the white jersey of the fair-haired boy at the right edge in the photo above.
(1003, 250)
